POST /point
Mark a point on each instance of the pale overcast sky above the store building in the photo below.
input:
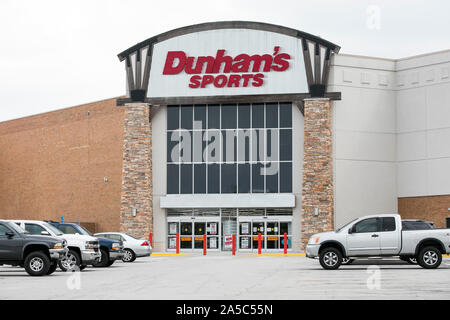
(56, 54)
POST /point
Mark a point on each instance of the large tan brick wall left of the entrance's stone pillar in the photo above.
(55, 164)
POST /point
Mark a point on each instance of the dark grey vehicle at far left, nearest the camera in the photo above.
(39, 255)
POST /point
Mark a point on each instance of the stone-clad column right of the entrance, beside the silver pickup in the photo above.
(318, 190)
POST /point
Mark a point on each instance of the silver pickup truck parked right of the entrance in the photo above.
(379, 236)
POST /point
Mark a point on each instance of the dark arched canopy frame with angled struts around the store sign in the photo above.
(138, 63)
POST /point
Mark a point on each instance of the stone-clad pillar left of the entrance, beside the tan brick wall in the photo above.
(137, 188)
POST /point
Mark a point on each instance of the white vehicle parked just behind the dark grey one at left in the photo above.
(83, 249)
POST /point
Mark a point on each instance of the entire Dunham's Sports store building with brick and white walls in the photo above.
(240, 128)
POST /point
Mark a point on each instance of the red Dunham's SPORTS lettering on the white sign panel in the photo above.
(241, 71)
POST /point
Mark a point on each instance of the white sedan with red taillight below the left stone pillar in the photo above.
(133, 248)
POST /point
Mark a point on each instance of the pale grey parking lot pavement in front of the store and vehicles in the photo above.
(227, 277)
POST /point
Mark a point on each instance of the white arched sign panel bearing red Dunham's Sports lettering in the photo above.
(227, 62)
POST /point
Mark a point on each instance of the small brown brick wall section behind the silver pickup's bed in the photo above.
(433, 208)
